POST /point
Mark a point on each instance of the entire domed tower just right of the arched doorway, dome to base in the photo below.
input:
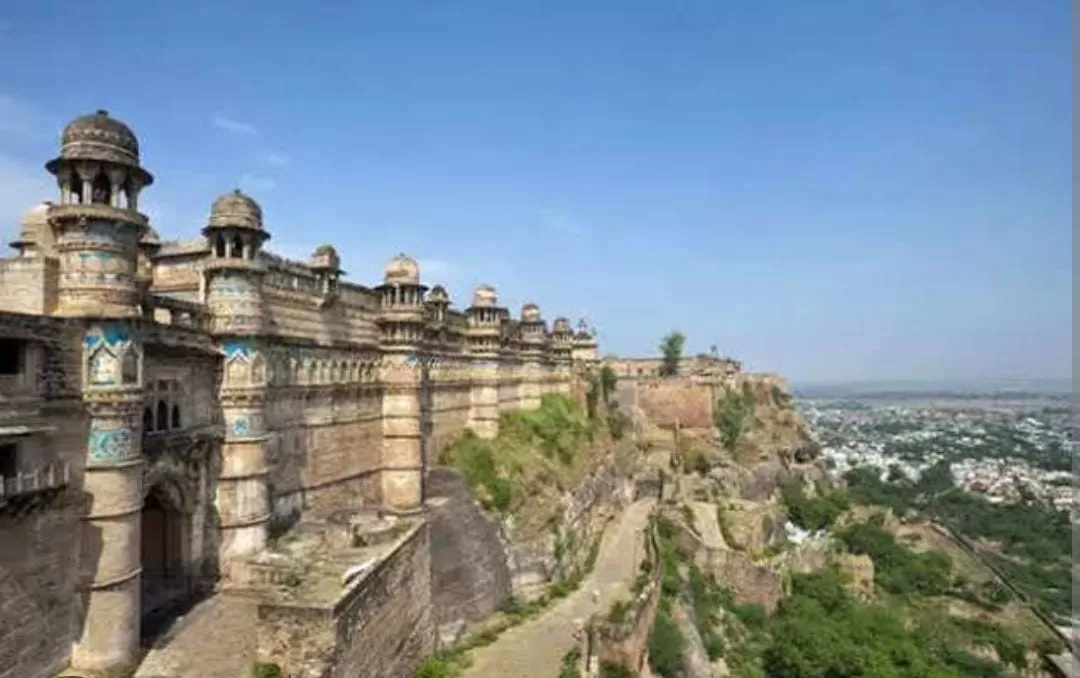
(234, 288)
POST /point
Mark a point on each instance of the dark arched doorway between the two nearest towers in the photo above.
(166, 580)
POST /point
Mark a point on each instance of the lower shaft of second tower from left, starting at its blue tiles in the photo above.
(244, 501)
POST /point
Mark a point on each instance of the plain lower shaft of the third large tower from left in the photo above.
(402, 476)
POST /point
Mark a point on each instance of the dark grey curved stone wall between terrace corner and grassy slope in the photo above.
(470, 578)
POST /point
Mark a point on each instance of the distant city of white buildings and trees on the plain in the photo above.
(1004, 446)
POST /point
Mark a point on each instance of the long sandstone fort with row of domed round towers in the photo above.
(168, 409)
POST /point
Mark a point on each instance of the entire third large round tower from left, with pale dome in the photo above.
(402, 318)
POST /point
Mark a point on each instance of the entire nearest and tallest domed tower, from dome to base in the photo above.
(98, 228)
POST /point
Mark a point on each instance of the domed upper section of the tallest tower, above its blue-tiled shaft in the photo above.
(97, 223)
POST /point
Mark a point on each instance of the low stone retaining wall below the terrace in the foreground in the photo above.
(381, 627)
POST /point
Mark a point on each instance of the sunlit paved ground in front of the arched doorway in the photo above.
(215, 640)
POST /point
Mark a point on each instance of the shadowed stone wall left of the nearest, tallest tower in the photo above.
(43, 548)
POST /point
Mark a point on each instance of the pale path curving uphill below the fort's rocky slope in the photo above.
(536, 648)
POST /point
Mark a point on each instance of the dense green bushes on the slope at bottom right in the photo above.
(821, 630)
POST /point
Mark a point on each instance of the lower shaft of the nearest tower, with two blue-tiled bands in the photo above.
(109, 638)
